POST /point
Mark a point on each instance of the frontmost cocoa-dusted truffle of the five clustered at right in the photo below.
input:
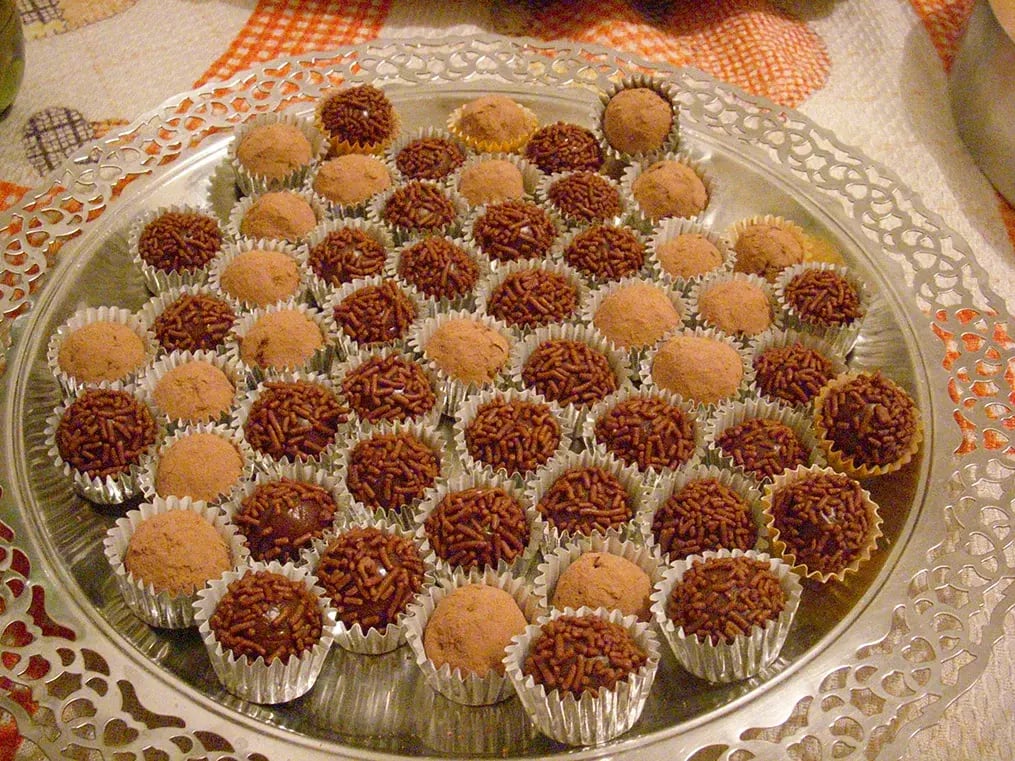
(699, 369)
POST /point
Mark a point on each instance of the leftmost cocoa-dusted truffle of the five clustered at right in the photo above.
(636, 315)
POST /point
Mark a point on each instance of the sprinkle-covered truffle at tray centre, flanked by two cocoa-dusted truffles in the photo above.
(569, 372)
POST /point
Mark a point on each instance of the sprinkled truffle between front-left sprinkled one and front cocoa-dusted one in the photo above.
(371, 576)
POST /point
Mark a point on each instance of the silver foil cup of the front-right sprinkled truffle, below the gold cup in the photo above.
(748, 655)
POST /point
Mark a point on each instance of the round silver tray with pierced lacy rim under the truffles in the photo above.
(869, 662)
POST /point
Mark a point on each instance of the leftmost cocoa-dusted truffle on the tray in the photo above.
(101, 352)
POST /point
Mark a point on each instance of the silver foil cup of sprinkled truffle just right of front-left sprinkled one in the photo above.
(374, 642)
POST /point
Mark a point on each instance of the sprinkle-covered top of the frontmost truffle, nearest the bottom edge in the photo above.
(583, 655)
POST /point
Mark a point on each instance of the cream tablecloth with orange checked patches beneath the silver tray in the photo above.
(872, 72)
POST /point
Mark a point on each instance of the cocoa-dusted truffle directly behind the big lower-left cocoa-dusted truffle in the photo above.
(199, 466)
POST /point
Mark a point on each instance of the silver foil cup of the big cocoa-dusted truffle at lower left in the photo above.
(161, 608)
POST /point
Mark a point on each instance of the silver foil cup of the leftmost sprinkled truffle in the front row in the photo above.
(256, 681)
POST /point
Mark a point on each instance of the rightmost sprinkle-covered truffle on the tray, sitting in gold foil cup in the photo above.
(869, 420)
